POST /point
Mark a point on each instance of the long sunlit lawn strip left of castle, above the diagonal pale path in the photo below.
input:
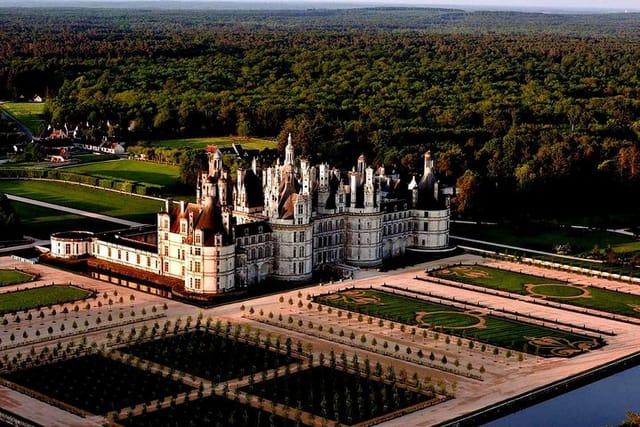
(105, 202)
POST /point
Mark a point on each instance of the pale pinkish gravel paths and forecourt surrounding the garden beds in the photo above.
(503, 377)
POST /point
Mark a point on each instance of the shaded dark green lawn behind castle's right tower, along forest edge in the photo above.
(547, 238)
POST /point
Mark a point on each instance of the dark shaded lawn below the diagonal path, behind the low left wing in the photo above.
(40, 222)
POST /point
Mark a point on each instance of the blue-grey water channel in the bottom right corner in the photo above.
(602, 403)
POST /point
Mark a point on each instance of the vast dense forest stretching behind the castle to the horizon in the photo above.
(528, 115)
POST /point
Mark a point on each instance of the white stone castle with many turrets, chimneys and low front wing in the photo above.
(282, 222)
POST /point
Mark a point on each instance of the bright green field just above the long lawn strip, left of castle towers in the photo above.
(132, 170)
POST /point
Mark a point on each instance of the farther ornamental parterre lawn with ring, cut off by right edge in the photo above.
(590, 297)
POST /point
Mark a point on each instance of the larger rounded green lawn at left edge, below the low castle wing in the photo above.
(38, 297)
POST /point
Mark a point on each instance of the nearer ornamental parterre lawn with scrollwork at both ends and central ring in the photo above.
(493, 330)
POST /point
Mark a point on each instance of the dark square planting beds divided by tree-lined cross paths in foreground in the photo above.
(190, 372)
